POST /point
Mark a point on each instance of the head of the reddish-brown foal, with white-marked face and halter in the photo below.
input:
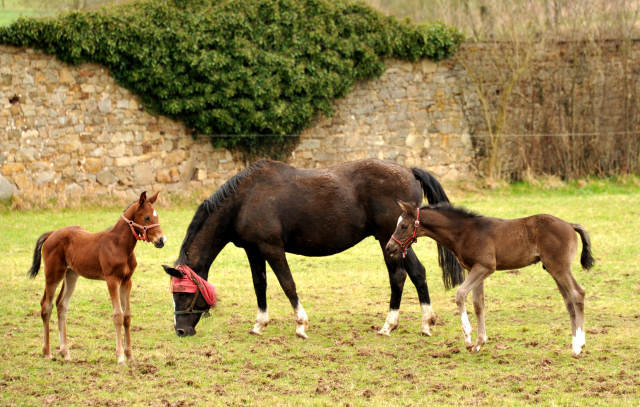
(143, 220)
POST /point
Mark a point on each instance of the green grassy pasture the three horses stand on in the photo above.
(526, 361)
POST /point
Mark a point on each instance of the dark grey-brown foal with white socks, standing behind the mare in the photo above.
(484, 245)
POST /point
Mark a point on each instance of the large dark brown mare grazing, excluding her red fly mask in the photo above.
(272, 208)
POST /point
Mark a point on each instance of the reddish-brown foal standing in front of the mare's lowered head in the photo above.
(71, 251)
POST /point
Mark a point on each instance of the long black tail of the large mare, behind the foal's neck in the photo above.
(452, 272)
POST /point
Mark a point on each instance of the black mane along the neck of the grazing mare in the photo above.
(212, 204)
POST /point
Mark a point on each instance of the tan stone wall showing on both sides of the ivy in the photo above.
(71, 131)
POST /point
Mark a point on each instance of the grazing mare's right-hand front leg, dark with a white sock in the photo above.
(278, 262)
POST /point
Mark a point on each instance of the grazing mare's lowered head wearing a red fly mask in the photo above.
(192, 298)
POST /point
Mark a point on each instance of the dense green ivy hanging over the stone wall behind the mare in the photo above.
(239, 70)
